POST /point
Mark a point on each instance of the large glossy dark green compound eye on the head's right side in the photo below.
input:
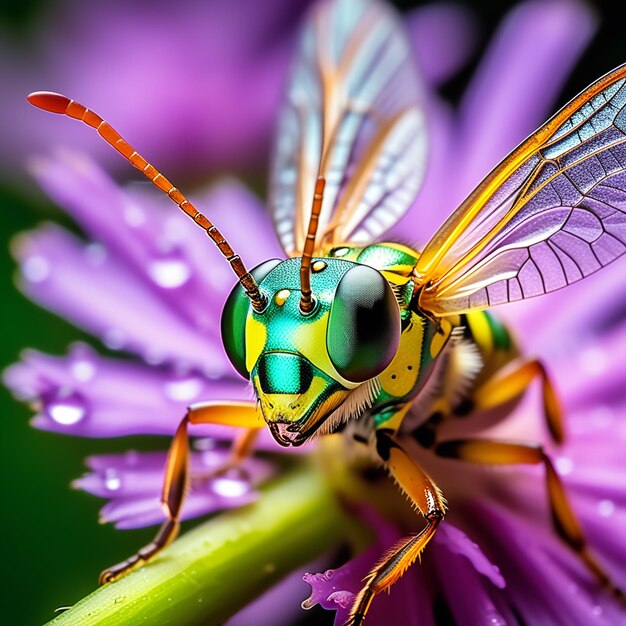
(364, 325)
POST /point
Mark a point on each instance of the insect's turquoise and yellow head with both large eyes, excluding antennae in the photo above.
(304, 366)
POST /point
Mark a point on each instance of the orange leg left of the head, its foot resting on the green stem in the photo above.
(238, 414)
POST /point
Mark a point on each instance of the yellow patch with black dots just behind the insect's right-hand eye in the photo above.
(401, 375)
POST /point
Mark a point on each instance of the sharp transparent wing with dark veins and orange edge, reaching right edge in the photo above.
(553, 212)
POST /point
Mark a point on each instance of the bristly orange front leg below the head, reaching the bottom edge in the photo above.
(426, 497)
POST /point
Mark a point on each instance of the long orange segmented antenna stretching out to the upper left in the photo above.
(56, 103)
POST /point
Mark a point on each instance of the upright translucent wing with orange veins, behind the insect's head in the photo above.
(352, 115)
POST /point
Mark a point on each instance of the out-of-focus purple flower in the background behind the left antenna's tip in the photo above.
(172, 77)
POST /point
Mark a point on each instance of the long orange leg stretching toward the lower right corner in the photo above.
(568, 527)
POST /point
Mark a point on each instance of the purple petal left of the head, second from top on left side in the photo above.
(84, 283)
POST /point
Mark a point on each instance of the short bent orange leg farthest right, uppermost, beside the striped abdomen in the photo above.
(511, 382)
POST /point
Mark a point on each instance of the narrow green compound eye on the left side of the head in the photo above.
(234, 318)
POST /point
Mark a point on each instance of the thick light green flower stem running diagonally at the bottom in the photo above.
(215, 569)
